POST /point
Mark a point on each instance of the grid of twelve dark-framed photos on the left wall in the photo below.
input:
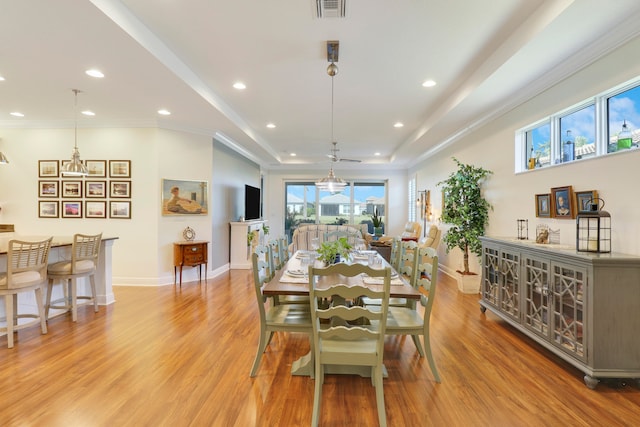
(104, 193)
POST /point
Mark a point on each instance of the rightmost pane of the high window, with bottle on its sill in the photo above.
(623, 111)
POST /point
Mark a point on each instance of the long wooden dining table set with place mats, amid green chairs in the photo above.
(292, 279)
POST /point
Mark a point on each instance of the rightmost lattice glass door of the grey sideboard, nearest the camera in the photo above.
(568, 313)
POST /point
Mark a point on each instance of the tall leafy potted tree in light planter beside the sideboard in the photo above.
(467, 213)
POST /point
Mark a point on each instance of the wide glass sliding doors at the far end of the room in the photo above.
(354, 205)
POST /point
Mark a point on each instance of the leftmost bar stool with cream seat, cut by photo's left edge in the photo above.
(26, 271)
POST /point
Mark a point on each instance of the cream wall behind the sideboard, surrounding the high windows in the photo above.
(513, 195)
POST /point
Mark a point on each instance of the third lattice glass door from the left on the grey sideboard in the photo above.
(537, 298)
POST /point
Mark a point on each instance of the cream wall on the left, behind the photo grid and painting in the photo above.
(143, 252)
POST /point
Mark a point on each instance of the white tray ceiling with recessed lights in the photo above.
(184, 55)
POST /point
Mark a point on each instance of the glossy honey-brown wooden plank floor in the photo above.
(175, 357)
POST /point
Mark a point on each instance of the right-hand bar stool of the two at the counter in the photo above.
(84, 259)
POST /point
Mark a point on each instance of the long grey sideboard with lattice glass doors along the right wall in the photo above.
(583, 307)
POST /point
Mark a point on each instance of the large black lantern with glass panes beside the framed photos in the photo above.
(593, 228)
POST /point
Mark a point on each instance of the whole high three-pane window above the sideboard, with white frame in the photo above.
(607, 123)
